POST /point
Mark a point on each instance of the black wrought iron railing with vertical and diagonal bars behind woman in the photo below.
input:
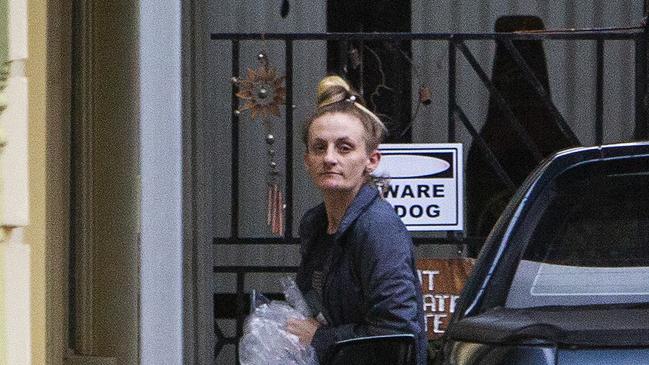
(235, 305)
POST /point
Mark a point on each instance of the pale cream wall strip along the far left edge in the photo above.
(14, 254)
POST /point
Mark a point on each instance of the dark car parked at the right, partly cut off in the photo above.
(563, 277)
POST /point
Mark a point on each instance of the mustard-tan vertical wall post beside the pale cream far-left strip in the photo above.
(46, 234)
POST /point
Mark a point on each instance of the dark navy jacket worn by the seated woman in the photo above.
(369, 283)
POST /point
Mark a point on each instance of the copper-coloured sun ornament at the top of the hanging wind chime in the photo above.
(262, 91)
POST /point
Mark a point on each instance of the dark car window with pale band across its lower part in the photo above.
(591, 243)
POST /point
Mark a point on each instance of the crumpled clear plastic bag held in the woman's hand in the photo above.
(265, 339)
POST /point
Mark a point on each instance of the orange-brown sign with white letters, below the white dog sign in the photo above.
(442, 281)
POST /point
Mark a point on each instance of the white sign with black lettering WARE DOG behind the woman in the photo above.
(425, 184)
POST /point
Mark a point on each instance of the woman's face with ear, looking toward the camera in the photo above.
(337, 159)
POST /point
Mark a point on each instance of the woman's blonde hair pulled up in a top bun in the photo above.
(335, 95)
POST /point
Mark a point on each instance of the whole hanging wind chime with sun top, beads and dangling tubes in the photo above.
(262, 92)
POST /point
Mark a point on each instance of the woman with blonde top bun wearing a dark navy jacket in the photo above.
(357, 269)
